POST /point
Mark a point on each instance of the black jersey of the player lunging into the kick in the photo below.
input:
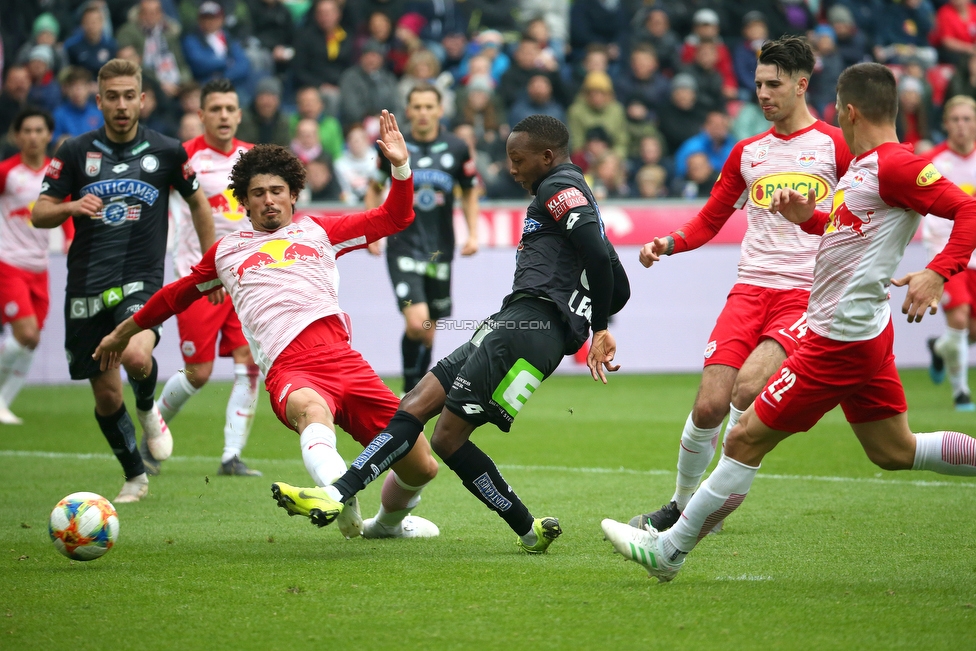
(547, 263)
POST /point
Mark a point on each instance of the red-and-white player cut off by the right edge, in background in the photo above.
(956, 160)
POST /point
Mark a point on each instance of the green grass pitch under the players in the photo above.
(828, 552)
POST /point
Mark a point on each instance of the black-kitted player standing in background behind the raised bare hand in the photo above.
(419, 257)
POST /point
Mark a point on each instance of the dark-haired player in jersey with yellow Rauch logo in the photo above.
(764, 317)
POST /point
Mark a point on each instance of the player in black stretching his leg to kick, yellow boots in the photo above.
(567, 280)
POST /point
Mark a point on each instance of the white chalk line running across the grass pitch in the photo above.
(572, 469)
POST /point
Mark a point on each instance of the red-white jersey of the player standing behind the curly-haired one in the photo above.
(212, 168)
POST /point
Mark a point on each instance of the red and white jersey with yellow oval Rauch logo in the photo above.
(775, 253)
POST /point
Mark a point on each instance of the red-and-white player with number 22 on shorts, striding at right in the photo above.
(846, 357)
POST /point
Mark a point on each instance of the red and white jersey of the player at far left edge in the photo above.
(21, 245)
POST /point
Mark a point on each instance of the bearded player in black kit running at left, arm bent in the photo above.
(118, 180)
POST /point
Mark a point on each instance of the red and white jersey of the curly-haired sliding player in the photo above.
(282, 281)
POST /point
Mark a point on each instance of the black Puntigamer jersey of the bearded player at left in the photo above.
(126, 240)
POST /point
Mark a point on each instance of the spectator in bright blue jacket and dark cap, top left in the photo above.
(212, 54)
